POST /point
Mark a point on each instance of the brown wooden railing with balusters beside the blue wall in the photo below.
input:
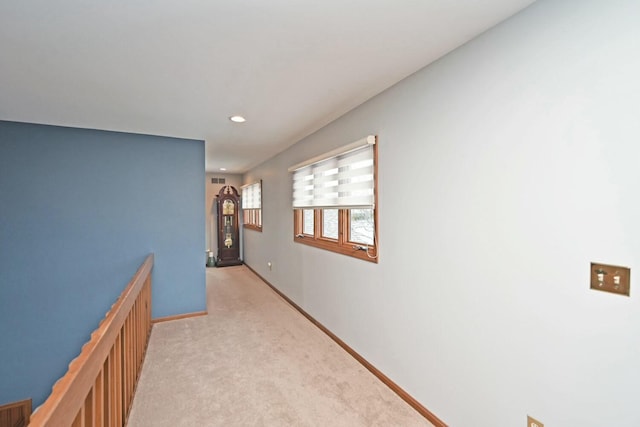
(98, 388)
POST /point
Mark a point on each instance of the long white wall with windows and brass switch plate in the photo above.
(505, 169)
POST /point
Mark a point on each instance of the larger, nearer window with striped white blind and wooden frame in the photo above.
(334, 199)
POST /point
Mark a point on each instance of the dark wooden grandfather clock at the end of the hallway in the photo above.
(228, 205)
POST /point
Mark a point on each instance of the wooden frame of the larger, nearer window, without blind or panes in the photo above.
(342, 245)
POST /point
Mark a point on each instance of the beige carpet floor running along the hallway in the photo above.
(256, 361)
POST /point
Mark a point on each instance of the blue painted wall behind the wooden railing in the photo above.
(79, 212)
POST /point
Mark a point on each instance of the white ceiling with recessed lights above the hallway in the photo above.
(181, 68)
